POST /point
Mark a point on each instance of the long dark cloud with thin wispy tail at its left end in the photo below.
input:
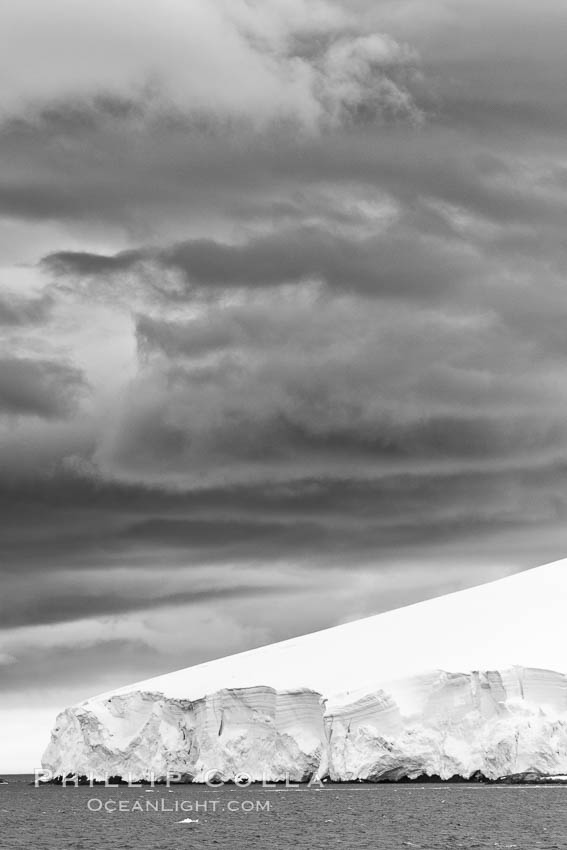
(395, 264)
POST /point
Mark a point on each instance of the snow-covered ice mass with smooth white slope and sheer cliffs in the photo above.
(470, 682)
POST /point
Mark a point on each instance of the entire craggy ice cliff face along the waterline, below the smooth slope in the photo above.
(493, 723)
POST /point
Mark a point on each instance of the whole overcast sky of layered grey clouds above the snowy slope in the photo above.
(282, 321)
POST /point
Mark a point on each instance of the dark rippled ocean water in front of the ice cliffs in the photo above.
(433, 817)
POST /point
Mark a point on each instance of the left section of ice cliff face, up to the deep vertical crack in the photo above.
(252, 730)
